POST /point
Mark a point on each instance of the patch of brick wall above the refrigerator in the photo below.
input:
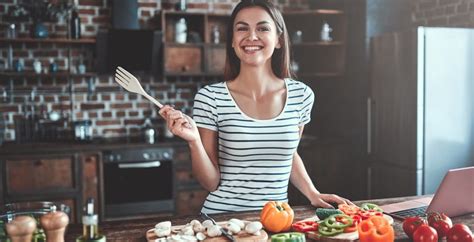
(437, 13)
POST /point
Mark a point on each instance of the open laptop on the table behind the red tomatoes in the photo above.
(454, 197)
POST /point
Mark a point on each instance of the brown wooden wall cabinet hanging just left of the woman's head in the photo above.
(203, 51)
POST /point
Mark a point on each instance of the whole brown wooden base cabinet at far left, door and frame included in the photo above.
(43, 177)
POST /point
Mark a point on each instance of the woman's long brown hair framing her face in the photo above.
(280, 57)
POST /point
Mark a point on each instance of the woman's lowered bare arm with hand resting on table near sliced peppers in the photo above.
(300, 179)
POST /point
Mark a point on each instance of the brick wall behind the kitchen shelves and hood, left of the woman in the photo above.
(114, 113)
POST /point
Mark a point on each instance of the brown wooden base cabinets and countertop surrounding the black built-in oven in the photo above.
(71, 173)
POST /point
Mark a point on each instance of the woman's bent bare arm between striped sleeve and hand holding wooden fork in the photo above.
(205, 159)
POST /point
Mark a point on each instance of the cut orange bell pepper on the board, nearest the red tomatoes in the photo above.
(376, 229)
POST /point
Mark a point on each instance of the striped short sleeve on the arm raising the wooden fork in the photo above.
(204, 110)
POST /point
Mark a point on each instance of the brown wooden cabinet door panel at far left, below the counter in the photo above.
(39, 176)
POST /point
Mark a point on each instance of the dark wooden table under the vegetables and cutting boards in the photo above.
(134, 230)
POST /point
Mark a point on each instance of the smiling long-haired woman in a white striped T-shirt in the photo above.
(246, 130)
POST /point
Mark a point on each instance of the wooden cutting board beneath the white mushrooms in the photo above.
(242, 236)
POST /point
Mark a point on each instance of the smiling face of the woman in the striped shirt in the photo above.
(255, 36)
